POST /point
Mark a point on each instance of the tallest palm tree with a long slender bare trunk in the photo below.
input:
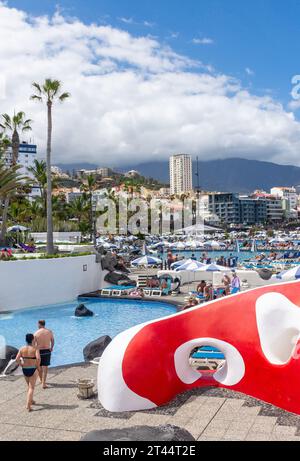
(49, 91)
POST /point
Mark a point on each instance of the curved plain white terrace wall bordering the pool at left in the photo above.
(47, 281)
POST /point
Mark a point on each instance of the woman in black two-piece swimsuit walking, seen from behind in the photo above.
(29, 359)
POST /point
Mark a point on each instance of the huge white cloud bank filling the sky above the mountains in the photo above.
(134, 99)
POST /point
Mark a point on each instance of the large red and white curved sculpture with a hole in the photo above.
(258, 332)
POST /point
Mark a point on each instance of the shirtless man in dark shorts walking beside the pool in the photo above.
(44, 341)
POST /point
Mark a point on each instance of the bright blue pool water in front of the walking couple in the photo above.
(73, 334)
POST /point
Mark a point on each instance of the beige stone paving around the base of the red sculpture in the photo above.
(209, 414)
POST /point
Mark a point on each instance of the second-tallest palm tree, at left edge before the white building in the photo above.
(17, 123)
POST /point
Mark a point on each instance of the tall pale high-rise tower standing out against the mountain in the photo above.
(181, 174)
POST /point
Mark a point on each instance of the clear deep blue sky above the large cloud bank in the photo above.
(259, 35)
